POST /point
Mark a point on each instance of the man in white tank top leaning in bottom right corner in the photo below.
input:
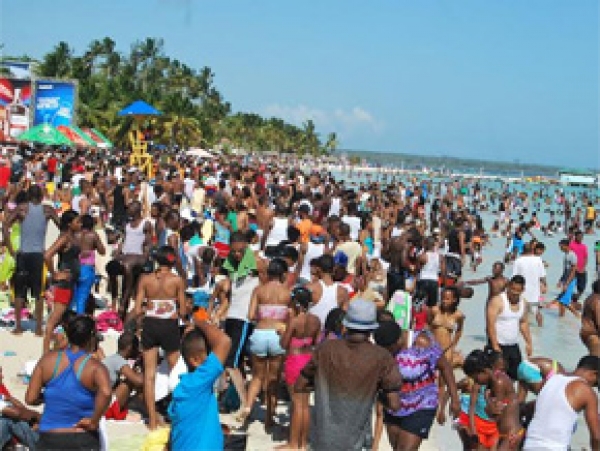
(558, 405)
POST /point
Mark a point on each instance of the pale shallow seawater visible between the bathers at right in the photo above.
(559, 337)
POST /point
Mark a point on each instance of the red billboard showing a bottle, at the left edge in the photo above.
(15, 103)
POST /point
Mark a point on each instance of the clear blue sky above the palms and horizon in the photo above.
(506, 80)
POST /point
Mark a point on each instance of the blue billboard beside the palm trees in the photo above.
(54, 102)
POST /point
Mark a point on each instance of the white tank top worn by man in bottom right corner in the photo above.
(554, 420)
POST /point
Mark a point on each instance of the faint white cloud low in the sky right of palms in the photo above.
(339, 119)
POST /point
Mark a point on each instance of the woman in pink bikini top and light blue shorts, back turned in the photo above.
(270, 309)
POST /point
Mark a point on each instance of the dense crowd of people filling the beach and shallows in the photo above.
(239, 276)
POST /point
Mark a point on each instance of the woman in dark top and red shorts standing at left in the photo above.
(66, 273)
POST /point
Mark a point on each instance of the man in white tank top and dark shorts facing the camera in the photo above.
(506, 319)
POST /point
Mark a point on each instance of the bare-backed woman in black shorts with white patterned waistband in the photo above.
(164, 295)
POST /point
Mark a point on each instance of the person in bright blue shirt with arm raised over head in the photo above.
(194, 412)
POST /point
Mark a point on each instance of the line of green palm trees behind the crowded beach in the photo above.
(195, 113)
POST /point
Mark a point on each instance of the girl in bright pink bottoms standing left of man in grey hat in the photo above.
(300, 336)
